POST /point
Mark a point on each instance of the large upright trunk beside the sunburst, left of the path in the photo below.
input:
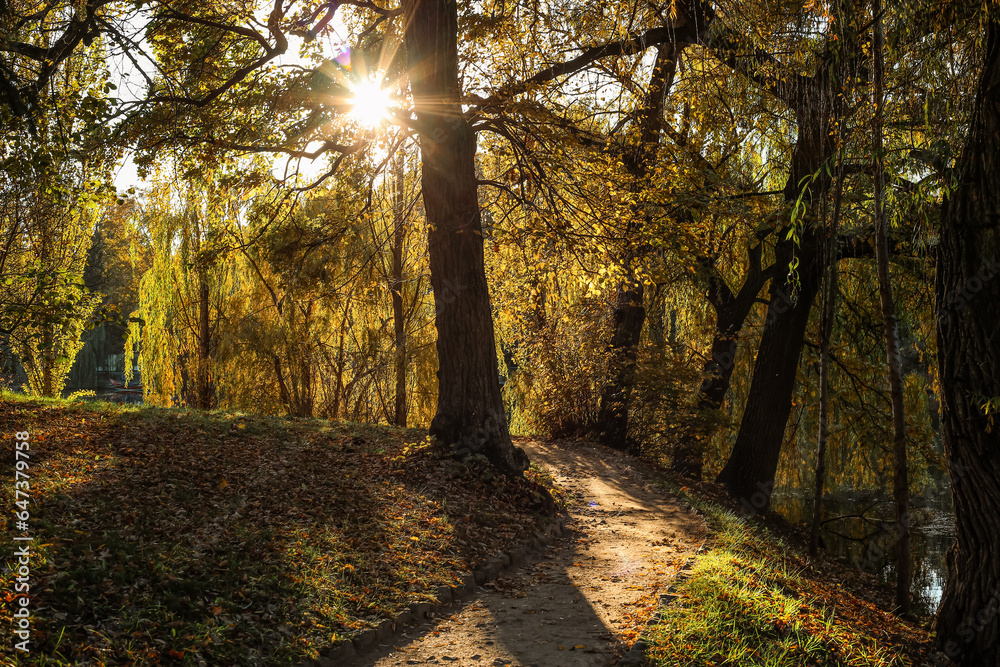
(470, 415)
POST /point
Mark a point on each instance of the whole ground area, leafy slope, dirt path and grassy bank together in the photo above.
(189, 538)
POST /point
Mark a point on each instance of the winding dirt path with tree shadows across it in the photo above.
(586, 599)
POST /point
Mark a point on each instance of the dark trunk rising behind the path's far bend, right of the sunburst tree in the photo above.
(629, 313)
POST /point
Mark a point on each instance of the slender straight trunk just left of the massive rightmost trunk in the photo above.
(900, 478)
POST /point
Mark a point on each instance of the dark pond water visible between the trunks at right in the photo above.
(858, 528)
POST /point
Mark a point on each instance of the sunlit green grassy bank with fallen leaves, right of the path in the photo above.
(753, 600)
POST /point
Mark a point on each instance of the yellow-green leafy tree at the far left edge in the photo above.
(54, 156)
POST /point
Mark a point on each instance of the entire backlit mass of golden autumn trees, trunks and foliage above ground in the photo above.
(653, 223)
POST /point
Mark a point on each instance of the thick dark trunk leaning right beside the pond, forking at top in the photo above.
(819, 101)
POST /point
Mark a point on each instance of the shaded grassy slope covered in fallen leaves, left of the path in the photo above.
(185, 537)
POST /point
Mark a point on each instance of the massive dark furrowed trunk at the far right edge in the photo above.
(967, 293)
